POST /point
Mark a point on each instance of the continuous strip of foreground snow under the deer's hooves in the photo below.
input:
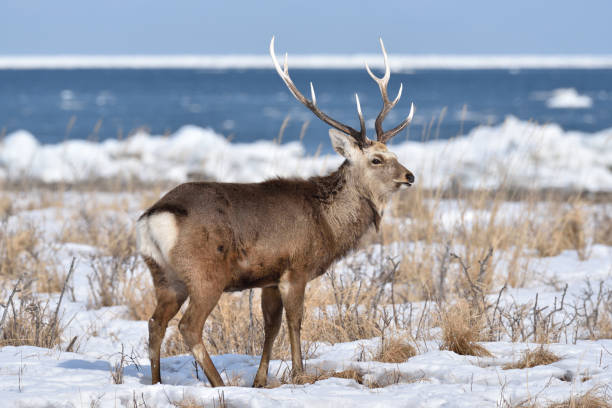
(35, 377)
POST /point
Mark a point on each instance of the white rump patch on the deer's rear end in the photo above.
(157, 236)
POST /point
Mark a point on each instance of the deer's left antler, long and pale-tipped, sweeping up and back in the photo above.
(359, 136)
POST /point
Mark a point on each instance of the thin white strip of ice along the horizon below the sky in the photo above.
(352, 61)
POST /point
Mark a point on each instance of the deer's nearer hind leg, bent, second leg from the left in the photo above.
(191, 326)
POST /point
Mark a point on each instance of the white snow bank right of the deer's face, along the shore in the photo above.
(515, 153)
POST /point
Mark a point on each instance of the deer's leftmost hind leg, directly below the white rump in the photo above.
(170, 297)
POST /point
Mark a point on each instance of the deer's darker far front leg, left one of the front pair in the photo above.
(272, 308)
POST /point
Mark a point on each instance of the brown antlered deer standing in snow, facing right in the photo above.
(202, 239)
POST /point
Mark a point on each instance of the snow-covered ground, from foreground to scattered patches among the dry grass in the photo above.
(35, 377)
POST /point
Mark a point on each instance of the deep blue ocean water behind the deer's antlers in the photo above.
(250, 104)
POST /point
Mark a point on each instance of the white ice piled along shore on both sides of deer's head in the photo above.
(515, 153)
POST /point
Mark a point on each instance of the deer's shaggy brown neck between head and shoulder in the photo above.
(346, 207)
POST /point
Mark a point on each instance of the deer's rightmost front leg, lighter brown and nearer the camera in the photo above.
(292, 294)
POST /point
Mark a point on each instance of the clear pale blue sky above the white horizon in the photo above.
(305, 27)
